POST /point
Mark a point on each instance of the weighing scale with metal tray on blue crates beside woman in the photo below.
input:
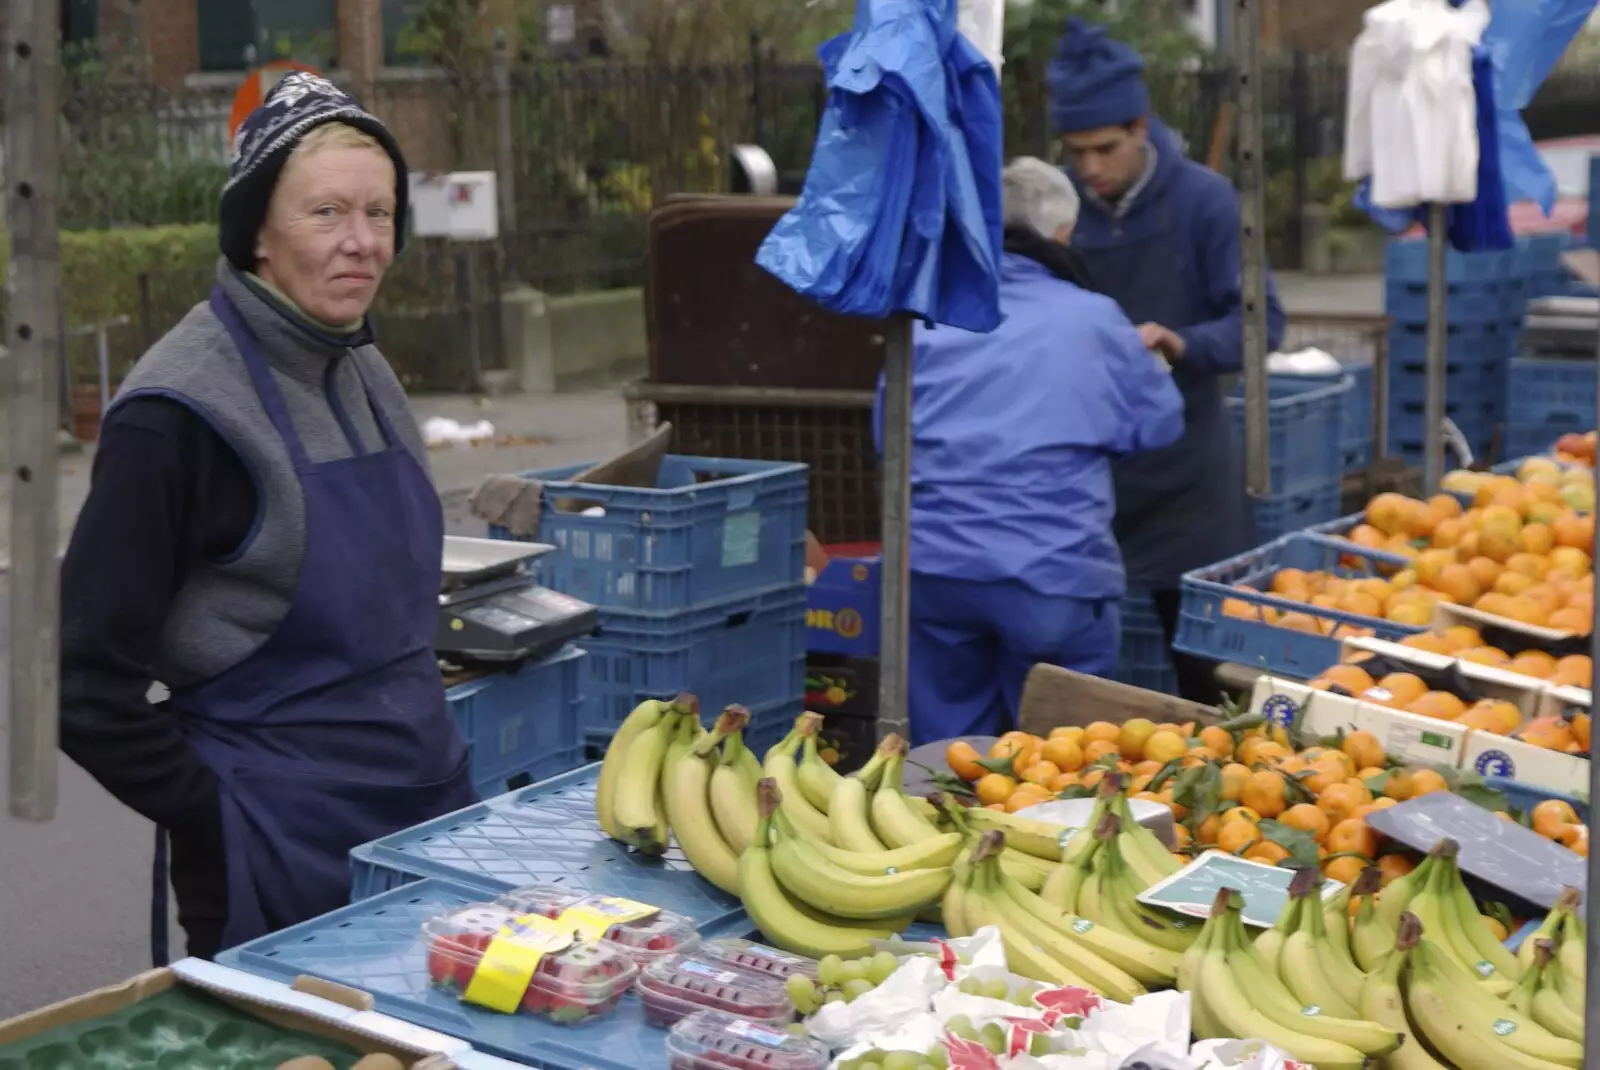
(492, 610)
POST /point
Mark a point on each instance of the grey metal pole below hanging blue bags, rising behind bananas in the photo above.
(894, 668)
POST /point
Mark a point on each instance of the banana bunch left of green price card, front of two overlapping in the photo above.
(1102, 887)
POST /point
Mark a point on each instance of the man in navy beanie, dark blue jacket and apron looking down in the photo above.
(1161, 236)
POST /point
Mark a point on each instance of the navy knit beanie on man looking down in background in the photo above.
(1095, 81)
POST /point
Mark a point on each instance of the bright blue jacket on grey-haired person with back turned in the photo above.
(1014, 434)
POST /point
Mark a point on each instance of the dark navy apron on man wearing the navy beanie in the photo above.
(1185, 506)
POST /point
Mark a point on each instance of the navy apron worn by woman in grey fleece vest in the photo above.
(337, 730)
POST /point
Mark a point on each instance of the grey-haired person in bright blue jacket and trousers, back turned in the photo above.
(1012, 551)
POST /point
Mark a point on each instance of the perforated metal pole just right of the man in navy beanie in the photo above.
(1254, 246)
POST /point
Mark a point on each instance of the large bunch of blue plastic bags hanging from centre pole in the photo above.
(902, 207)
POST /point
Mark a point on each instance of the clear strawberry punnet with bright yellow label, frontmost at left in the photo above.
(537, 968)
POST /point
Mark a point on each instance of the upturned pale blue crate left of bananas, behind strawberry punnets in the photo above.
(538, 836)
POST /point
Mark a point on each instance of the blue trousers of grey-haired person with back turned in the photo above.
(974, 644)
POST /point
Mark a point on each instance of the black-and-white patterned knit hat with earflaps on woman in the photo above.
(262, 146)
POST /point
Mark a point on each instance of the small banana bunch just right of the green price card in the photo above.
(1316, 967)
